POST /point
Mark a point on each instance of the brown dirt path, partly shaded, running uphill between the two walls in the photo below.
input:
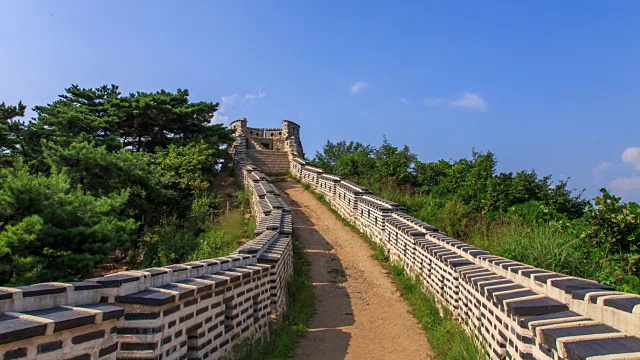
(359, 312)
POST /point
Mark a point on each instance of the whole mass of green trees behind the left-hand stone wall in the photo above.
(97, 171)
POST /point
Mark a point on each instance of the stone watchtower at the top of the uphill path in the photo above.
(270, 149)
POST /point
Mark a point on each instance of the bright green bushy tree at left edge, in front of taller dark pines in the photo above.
(52, 231)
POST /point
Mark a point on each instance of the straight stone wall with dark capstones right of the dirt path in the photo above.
(514, 310)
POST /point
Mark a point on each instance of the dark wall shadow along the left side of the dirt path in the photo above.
(333, 308)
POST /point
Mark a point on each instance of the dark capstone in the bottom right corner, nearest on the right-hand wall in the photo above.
(581, 350)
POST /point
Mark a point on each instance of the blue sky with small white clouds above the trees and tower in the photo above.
(546, 85)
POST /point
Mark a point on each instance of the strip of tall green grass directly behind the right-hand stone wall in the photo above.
(551, 245)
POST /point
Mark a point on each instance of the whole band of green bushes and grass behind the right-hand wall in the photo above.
(522, 216)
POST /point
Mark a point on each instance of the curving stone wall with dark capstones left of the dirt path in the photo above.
(195, 310)
